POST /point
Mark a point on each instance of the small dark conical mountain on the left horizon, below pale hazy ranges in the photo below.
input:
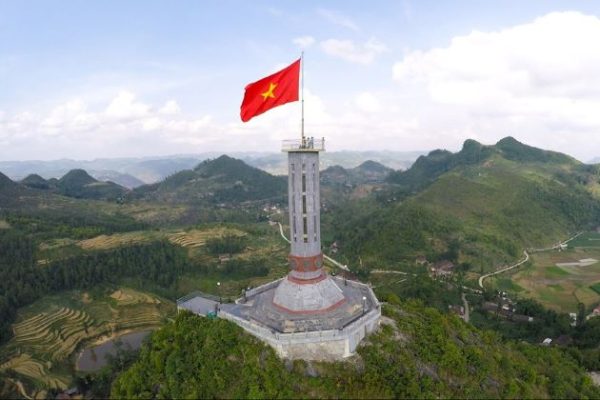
(79, 184)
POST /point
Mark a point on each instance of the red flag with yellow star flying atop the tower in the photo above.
(270, 92)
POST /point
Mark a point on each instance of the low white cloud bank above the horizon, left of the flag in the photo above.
(124, 127)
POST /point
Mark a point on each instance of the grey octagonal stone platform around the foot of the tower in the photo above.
(327, 335)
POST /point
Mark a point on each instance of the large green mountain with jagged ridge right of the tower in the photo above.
(480, 206)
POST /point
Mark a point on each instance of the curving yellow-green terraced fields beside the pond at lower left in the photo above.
(49, 333)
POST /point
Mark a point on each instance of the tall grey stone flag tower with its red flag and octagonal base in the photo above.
(307, 314)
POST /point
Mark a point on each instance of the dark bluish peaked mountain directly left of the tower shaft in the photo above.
(221, 180)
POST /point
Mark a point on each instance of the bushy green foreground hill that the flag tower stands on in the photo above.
(417, 353)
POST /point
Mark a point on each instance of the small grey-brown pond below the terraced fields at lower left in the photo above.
(94, 358)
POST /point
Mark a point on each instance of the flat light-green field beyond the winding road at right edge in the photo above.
(560, 288)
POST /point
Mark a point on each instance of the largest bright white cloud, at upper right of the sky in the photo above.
(539, 80)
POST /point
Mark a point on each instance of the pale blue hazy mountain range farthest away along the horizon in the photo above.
(134, 172)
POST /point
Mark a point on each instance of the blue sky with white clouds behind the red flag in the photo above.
(138, 78)
